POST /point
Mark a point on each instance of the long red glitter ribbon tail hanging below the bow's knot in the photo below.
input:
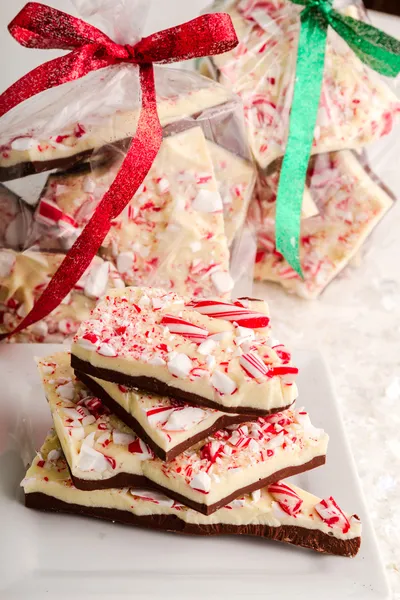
(138, 161)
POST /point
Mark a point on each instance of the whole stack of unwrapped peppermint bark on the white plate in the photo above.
(178, 414)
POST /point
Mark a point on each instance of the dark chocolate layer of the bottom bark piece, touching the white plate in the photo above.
(297, 536)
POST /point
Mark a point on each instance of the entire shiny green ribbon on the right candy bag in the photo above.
(376, 49)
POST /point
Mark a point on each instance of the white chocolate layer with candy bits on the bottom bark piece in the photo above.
(49, 475)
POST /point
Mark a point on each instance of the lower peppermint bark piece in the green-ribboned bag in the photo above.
(350, 204)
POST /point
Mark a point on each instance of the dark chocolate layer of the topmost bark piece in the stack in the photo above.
(154, 386)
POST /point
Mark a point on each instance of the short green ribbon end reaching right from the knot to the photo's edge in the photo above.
(376, 49)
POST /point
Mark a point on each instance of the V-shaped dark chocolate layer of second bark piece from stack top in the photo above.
(130, 420)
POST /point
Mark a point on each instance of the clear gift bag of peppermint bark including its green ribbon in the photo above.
(315, 78)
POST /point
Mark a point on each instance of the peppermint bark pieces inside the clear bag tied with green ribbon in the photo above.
(342, 202)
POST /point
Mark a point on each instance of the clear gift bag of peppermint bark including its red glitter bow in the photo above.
(127, 174)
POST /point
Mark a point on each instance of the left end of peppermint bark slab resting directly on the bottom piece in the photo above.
(101, 451)
